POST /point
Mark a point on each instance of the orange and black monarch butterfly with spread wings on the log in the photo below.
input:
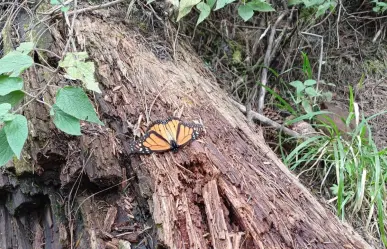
(164, 135)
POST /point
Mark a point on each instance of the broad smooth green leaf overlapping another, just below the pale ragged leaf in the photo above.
(74, 102)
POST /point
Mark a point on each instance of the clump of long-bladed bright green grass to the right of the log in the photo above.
(354, 170)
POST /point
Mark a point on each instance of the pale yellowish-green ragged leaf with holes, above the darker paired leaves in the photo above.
(78, 69)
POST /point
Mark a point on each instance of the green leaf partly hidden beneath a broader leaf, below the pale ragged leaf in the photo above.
(65, 122)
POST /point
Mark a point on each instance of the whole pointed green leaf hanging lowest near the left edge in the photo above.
(17, 132)
